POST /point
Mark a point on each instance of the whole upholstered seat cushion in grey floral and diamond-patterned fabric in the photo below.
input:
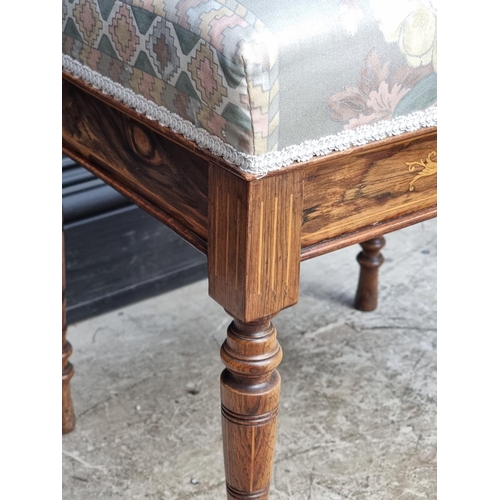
(262, 76)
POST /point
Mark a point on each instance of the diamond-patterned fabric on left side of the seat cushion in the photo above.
(185, 55)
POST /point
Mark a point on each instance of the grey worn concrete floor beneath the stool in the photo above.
(358, 405)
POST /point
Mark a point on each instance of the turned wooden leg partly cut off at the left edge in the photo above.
(68, 414)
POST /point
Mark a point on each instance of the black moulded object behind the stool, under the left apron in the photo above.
(116, 253)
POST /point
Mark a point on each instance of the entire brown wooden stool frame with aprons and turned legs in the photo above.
(255, 233)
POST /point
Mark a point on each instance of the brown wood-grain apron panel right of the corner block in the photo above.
(353, 190)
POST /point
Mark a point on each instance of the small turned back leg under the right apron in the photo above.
(370, 259)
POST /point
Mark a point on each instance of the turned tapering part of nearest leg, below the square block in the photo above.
(250, 388)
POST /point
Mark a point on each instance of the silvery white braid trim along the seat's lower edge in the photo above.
(259, 165)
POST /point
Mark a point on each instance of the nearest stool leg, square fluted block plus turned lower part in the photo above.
(253, 269)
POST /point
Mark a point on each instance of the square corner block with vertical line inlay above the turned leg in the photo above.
(254, 242)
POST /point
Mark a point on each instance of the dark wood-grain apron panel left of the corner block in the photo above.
(121, 149)
